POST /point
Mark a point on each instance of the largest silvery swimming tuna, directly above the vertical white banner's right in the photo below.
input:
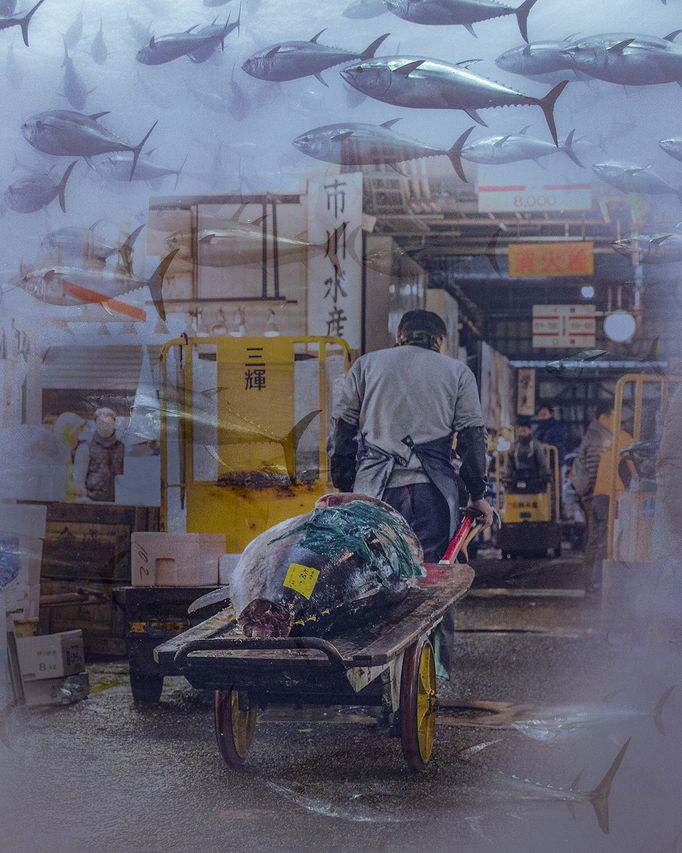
(408, 81)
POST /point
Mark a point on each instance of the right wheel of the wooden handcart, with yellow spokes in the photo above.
(418, 701)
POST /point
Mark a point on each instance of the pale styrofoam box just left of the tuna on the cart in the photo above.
(176, 559)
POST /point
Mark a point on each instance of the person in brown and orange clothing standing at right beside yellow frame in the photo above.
(591, 475)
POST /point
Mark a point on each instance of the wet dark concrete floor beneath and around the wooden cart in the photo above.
(105, 775)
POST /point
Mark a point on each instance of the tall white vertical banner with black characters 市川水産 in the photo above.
(335, 275)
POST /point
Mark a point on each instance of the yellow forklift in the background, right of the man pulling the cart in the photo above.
(530, 516)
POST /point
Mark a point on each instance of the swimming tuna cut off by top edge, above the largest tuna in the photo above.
(463, 12)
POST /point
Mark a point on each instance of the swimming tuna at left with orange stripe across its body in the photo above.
(58, 285)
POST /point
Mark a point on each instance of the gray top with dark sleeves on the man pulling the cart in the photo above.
(406, 392)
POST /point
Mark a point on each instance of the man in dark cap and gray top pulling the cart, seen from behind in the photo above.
(391, 436)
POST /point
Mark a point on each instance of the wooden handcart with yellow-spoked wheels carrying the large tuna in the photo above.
(390, 666)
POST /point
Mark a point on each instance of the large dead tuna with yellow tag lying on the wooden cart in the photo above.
(320, 571)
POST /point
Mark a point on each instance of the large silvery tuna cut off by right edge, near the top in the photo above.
(628, 59)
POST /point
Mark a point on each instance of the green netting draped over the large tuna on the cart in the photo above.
(376, 536)
